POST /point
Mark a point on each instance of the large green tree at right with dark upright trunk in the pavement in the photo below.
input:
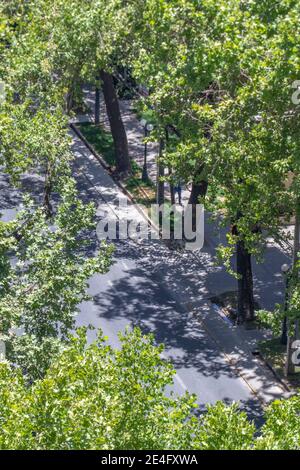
(221, 73)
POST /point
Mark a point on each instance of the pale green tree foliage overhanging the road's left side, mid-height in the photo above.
(49, 279)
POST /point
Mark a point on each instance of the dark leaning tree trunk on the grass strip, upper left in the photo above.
(123, 164)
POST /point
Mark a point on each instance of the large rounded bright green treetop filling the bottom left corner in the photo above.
(94, 397)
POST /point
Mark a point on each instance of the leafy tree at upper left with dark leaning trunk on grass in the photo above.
(84, 41)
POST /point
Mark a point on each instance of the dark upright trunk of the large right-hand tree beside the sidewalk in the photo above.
(245, 284)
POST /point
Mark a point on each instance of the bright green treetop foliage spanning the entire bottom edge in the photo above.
(96, 397)
